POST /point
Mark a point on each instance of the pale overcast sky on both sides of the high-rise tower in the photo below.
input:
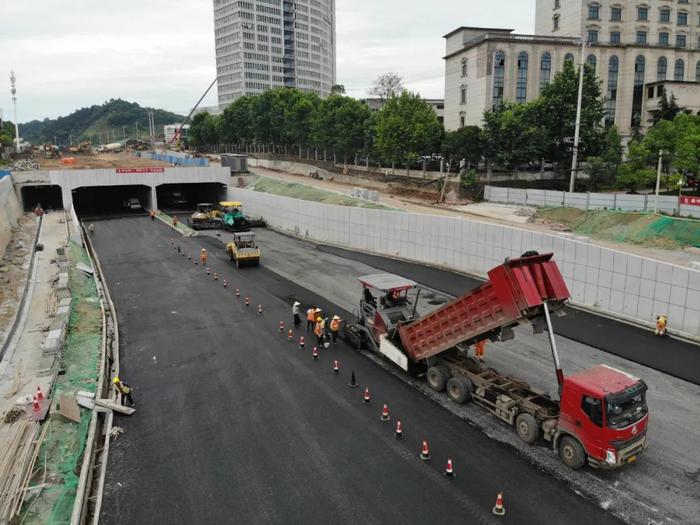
(160, 53)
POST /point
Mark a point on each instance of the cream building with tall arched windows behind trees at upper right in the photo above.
(631, 44)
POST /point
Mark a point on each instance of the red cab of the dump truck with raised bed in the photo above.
(605, 410)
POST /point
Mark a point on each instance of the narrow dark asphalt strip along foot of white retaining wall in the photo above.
(672, 356)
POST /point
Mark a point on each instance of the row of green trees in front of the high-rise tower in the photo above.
(405, 128)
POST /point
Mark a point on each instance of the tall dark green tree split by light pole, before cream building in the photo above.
(556, 110)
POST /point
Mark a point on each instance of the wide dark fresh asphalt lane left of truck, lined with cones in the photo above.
(236, 425)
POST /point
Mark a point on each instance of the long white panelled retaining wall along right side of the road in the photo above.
(621, 284)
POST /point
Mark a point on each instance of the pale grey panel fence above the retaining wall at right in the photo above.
(591, 201)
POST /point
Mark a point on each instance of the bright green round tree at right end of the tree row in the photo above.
(406, 128)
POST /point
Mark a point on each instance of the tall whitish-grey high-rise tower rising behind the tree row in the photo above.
(267, 44)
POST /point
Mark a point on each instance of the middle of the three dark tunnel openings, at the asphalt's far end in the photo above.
(109, 201)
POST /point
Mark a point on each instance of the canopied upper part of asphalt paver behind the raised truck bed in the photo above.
(386, 302)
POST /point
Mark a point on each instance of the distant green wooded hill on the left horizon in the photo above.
(100, 124)
